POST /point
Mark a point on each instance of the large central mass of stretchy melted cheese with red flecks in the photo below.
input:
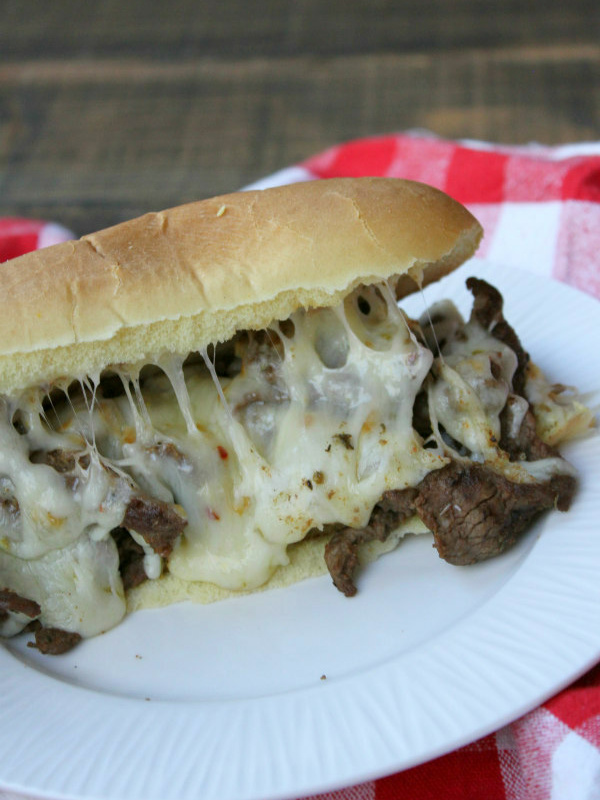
(312, 431)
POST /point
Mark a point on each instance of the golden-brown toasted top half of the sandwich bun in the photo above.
(181, 279)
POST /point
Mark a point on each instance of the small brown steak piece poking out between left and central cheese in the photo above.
(157, 522)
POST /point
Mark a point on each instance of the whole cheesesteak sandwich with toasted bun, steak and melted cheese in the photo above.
(193, 401)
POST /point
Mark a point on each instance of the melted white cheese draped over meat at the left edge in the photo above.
(55, 546)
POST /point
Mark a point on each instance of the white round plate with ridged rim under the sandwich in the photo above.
(300, 690)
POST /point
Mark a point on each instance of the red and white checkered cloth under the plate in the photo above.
(540, 208)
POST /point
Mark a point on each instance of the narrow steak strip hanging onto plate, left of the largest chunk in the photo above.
(341, 552)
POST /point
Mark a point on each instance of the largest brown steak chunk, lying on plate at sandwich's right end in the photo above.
(476, 513)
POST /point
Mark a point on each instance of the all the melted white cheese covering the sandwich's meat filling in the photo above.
(311, 431)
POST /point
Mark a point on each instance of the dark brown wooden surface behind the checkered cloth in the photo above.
(111, 108)
